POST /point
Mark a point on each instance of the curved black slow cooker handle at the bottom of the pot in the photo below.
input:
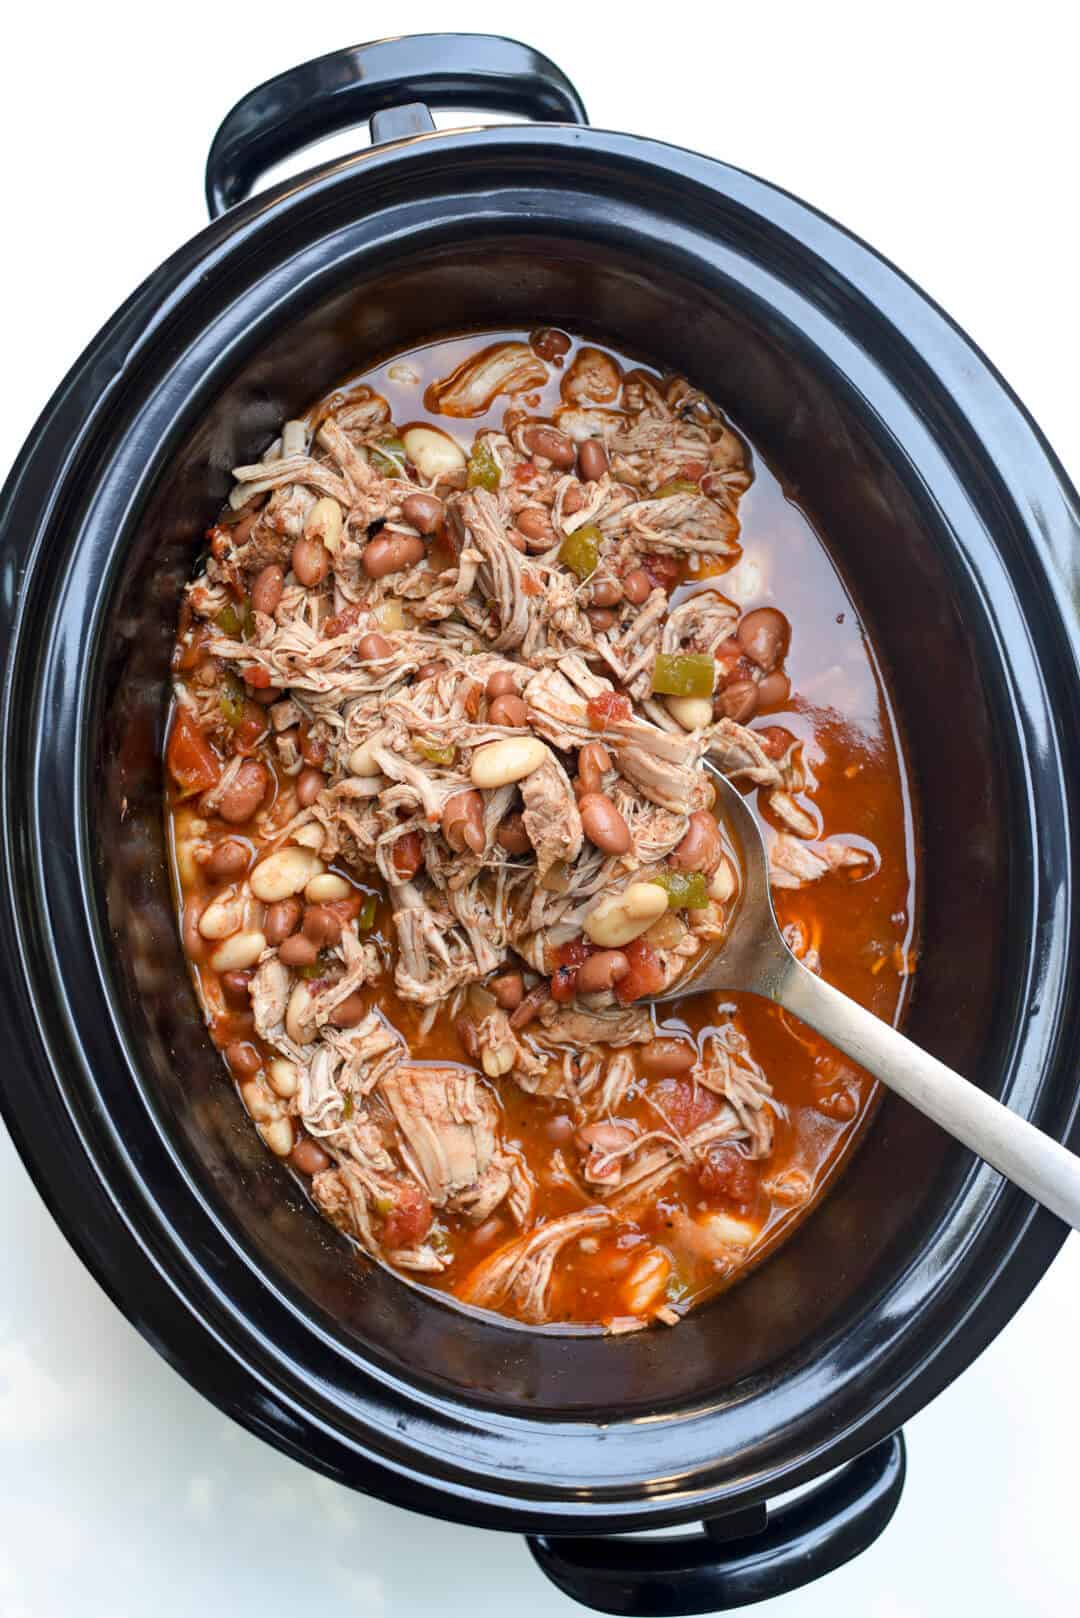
(712, 1572)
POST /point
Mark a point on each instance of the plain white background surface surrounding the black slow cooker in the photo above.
(945, 135)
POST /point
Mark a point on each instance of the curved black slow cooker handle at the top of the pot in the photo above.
(351, 87)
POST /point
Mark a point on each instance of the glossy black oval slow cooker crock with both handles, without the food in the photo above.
(959, 532)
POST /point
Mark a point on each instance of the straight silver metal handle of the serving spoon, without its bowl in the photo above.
(1045, 1169)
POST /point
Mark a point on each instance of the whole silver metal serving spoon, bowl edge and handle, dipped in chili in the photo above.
(757, 960)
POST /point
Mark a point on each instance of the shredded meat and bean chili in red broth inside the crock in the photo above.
(443, 690)
